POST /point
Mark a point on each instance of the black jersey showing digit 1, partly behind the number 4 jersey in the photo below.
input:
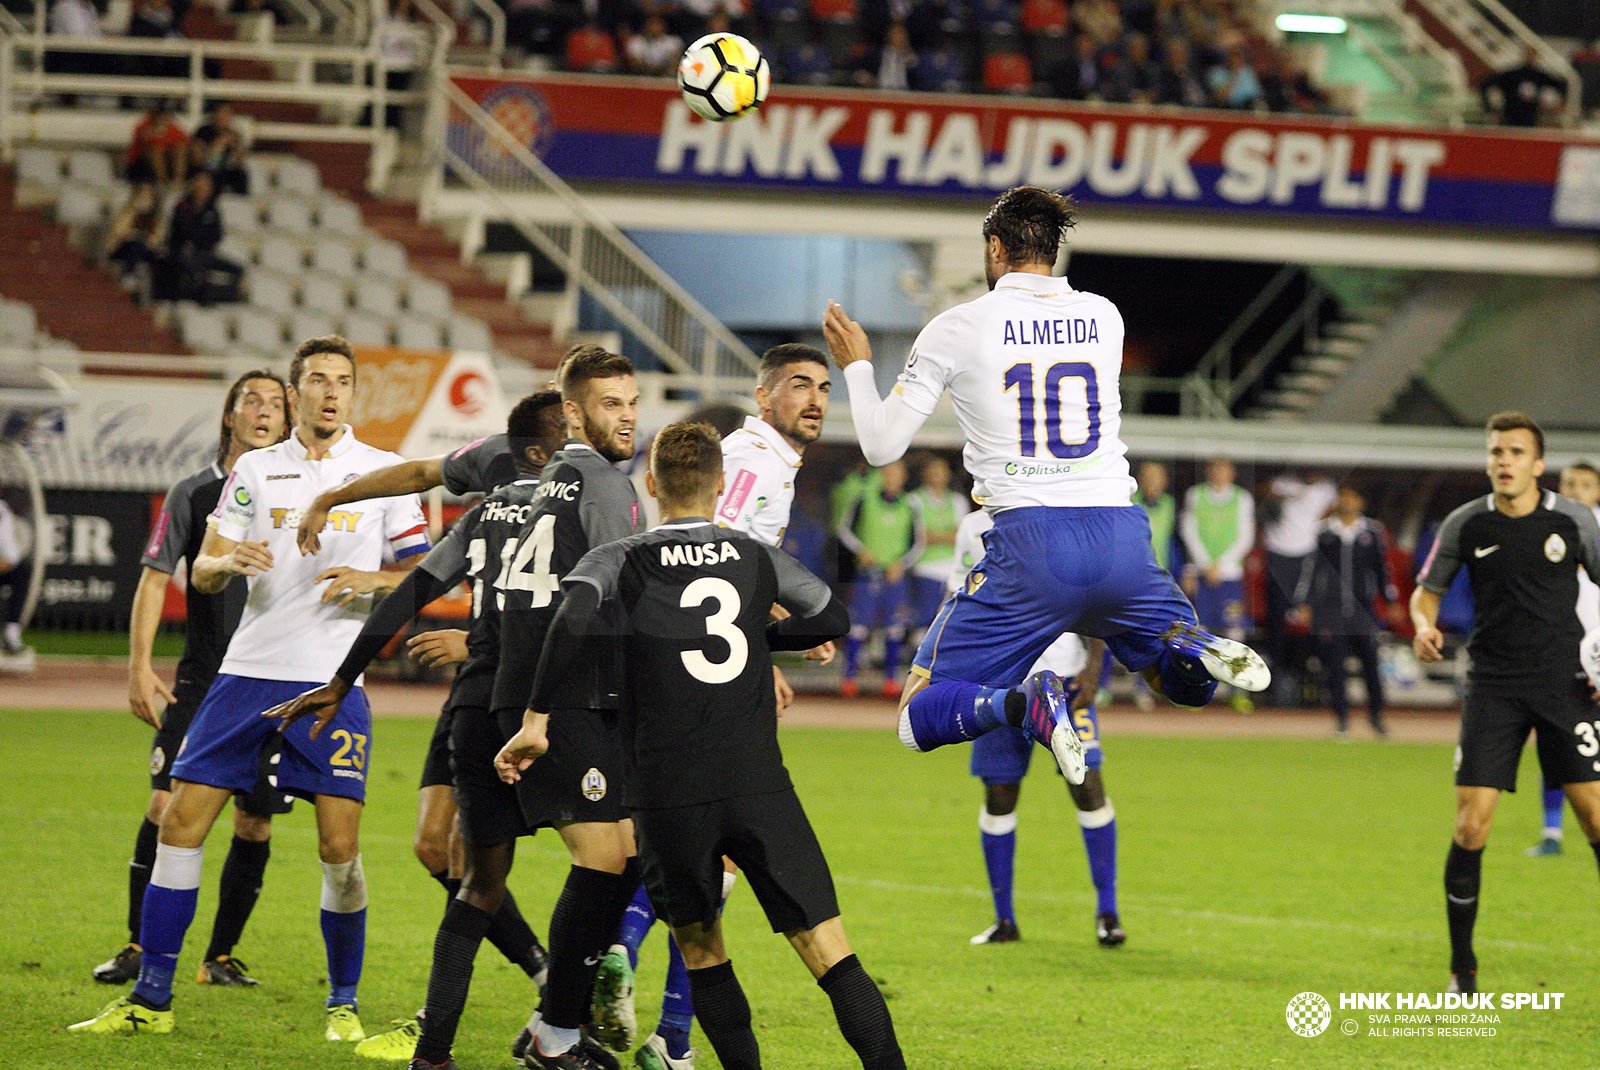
(482, 548)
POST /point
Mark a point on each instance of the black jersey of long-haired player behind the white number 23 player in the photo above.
(178, 535)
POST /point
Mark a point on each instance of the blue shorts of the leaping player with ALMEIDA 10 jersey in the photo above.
(1047, 572)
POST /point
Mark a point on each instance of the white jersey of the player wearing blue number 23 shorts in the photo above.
(287, 631)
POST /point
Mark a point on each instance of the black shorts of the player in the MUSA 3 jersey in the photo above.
(767, 836)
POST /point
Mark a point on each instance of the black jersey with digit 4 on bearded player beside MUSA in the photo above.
(583, 501)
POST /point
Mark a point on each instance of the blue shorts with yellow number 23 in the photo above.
(225, 741)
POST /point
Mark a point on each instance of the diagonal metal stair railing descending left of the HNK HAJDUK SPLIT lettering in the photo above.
(598, 258)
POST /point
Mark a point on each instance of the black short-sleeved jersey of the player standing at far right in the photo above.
(1524, 575)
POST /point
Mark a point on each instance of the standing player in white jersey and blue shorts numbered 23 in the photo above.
(302, 612)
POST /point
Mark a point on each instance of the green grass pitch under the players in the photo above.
(1252, 871)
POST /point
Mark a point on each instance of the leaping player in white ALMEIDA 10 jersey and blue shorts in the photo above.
(1033, 370)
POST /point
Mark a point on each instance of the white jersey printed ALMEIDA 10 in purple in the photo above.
(1033, 370)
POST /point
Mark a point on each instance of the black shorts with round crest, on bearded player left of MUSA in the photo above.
(580, 778)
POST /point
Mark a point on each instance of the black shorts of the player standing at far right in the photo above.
(1495, 727)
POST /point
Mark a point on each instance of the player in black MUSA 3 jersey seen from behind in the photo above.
(692, 607)
